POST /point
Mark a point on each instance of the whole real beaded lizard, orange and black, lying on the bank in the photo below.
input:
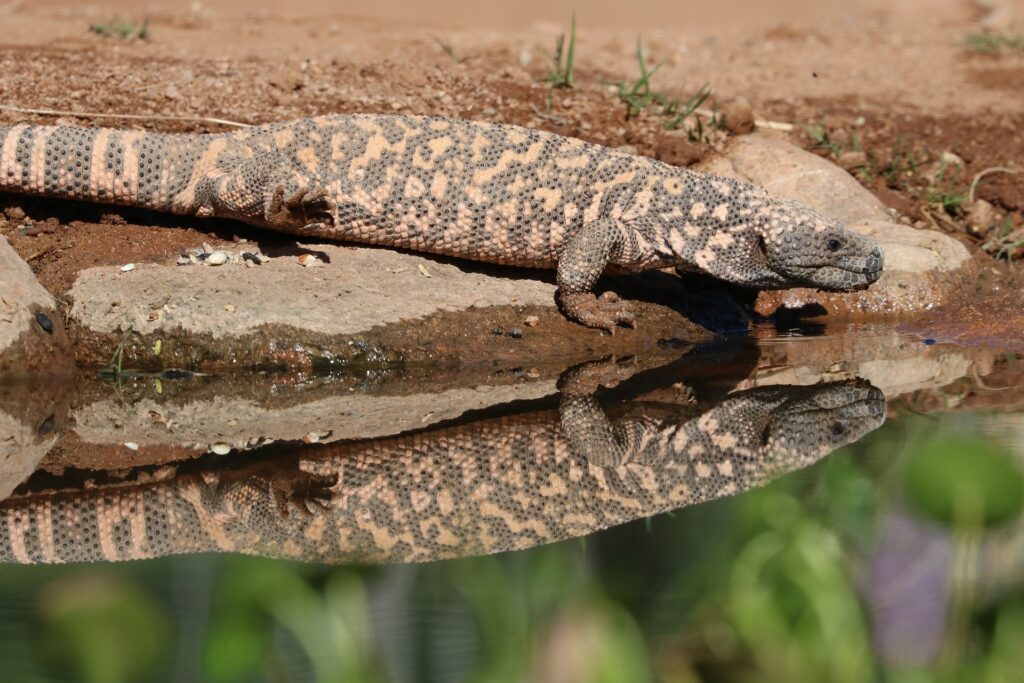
(493, 193)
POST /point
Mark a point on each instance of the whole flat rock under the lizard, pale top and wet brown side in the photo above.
(352, 305)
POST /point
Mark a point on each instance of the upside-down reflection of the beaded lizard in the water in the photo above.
(485, 487)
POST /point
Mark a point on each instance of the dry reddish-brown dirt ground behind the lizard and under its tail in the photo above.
(913, 97)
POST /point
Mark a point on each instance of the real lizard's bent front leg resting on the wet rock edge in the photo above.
(584, 259)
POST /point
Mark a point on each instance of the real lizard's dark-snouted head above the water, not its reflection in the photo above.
(803, 248)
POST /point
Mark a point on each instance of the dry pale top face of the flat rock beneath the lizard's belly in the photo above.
(354, 290)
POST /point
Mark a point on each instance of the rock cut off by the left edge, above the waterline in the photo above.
(32, 335)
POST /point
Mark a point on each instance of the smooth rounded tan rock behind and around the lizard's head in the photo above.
(924, 269)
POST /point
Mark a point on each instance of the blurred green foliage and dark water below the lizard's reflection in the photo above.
(765, 586)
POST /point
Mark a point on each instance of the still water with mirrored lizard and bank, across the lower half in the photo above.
(818, 507)
